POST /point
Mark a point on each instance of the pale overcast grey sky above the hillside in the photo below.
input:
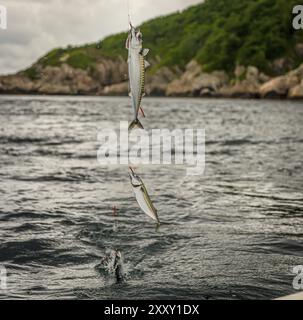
(36, 26)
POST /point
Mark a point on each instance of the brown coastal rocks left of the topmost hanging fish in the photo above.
(65, 79)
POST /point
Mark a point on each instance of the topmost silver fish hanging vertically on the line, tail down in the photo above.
(136, 72)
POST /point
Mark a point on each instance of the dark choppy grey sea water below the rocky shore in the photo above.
(235, 232)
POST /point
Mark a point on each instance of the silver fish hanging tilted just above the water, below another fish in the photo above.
(142, 196)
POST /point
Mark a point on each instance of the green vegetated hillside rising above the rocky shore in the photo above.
(219, 34)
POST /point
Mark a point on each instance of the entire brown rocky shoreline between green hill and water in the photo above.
(109, 78)
